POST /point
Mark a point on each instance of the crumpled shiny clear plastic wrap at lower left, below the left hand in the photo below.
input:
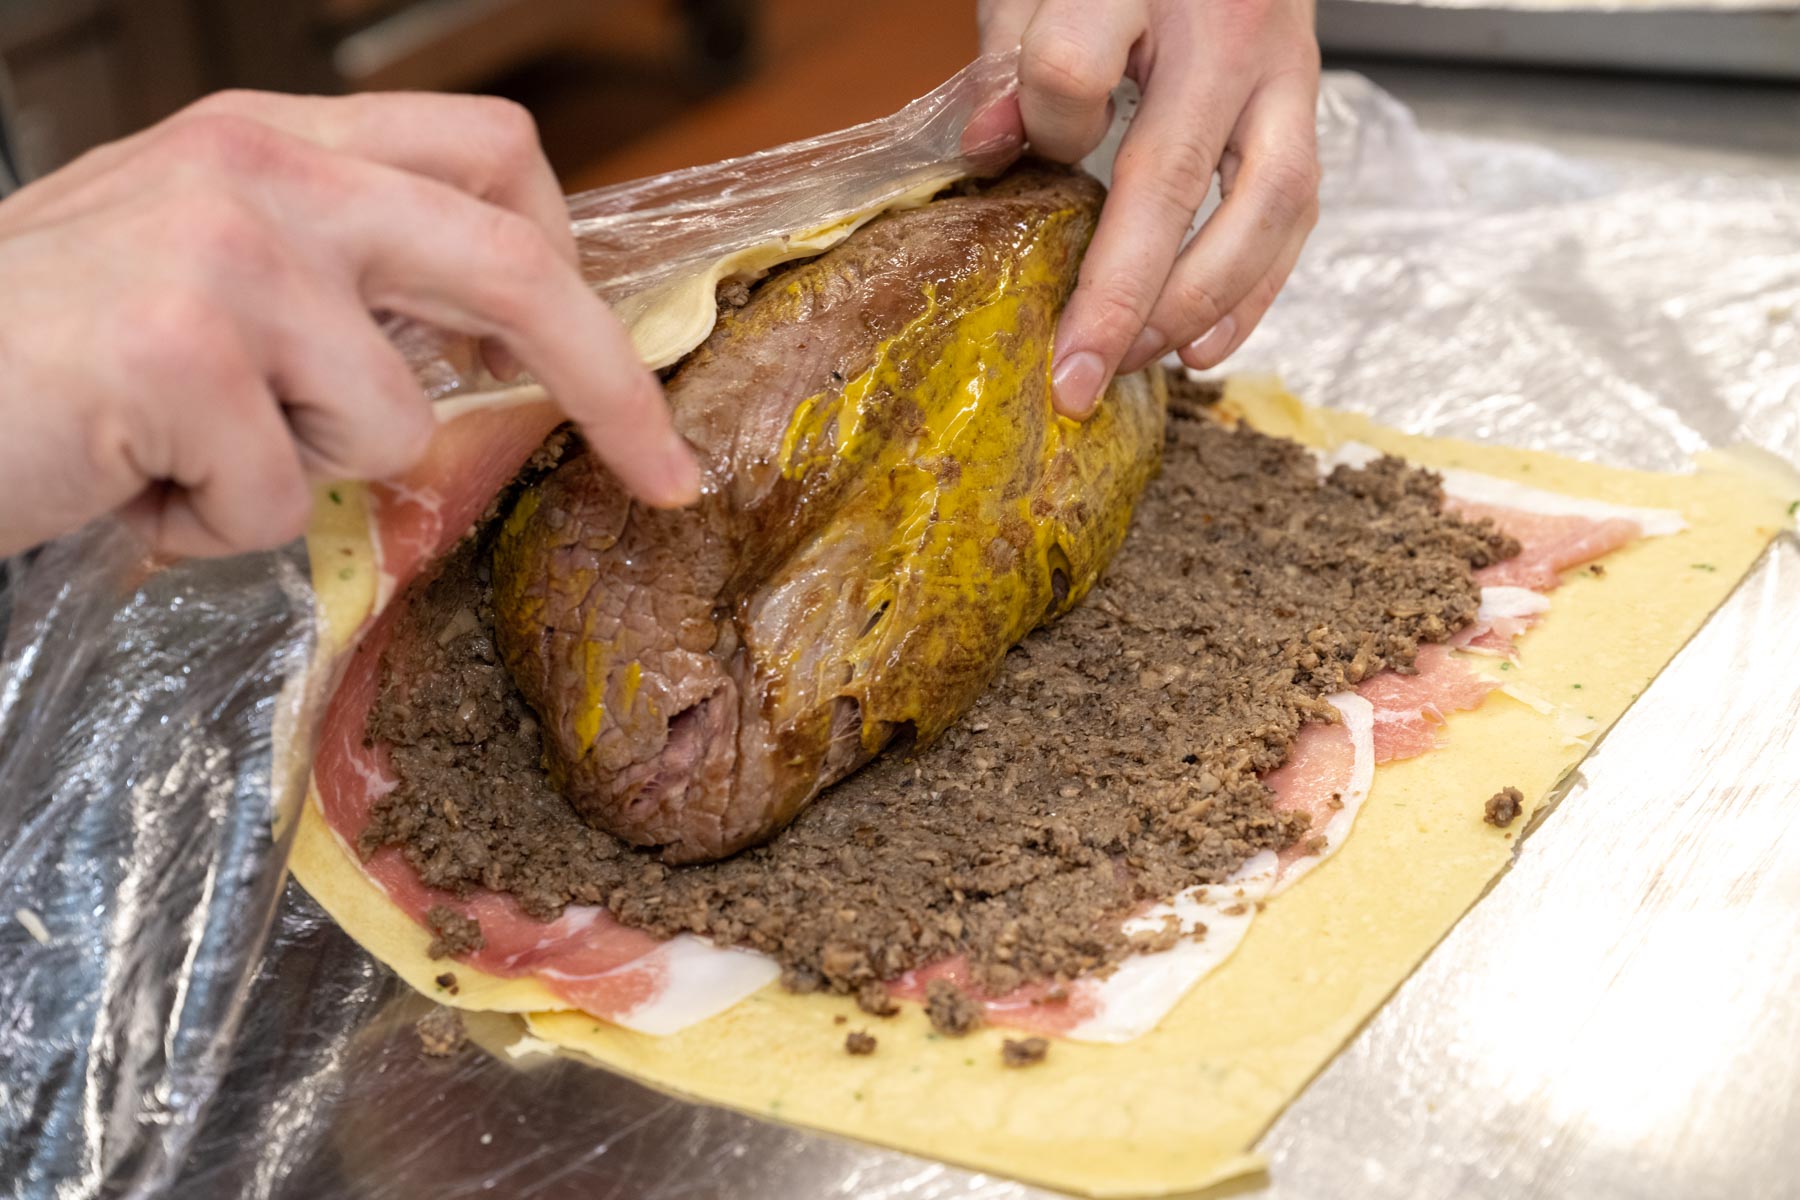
(139, 868)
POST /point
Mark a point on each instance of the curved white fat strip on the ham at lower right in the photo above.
(1146, 987)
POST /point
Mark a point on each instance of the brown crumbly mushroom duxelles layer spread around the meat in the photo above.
(1137, 730)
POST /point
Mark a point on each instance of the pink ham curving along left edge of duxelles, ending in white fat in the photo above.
(584, 956)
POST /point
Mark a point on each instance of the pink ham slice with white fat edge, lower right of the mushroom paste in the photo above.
(1327, 776)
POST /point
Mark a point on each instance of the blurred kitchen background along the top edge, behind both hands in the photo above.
(631, 87)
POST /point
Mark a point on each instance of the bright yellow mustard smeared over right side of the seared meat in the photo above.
(984, 499)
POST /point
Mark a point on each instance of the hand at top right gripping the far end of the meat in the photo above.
(1228, 87)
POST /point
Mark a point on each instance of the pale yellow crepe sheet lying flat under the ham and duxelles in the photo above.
(1182, 1107)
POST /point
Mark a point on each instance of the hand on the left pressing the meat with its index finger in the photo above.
(186, 328)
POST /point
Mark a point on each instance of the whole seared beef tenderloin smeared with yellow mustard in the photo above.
(890, 506)
